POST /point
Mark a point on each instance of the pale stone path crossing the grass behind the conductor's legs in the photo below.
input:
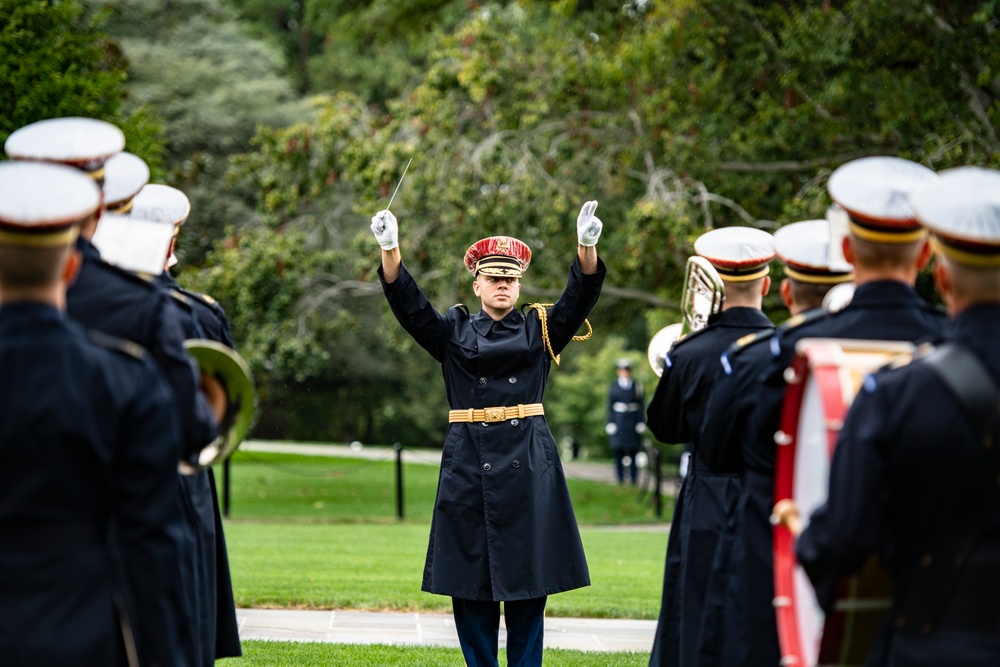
(360, 627)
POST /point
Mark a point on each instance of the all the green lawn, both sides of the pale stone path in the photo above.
(321, 533)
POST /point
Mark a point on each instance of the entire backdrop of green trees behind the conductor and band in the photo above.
(289, 122)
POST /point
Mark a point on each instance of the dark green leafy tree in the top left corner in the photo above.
(56, 60)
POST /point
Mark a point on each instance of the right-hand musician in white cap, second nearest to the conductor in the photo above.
(739, 628)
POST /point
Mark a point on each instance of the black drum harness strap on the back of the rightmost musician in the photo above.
(936, 581)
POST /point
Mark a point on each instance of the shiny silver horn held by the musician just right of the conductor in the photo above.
(701, 298)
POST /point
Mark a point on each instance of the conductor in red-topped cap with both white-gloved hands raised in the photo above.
(503, 527)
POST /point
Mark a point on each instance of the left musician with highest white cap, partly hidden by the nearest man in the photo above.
(123, 304)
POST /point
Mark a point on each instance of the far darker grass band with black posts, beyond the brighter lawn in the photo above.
(317, 489)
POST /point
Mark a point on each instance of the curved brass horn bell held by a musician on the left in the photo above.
(231, 370)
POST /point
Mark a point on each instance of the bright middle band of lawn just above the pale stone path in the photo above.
(373, 566)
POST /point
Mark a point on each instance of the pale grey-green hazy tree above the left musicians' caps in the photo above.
(213, 84)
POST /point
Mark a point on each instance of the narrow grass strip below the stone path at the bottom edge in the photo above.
(289, 654)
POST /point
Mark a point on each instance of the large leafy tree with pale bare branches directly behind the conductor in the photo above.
(678, 117)
